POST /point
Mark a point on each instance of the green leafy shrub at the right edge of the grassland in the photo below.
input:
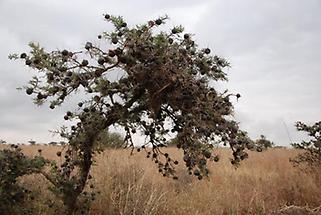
(311, 155)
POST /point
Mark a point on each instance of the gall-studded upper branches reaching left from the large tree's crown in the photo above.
(61, 77)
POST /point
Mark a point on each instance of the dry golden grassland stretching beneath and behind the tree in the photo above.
(131, 184)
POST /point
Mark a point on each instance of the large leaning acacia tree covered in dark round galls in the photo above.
(164, 89)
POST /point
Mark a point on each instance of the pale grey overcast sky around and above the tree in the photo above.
(274, 47)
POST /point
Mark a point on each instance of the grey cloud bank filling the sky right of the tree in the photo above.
(275, 52)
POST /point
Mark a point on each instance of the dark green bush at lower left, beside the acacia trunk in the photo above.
(14, 164)
